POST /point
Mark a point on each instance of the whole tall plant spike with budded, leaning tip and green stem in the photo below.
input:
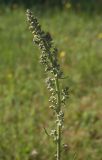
(49, 59)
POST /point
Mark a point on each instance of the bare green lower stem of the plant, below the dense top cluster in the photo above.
(58, 126)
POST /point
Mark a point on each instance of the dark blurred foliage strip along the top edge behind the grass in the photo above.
(79, 5)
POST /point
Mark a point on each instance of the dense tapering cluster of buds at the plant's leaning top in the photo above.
(45, 43)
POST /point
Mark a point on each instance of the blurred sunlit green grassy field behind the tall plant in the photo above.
(24, 104)
